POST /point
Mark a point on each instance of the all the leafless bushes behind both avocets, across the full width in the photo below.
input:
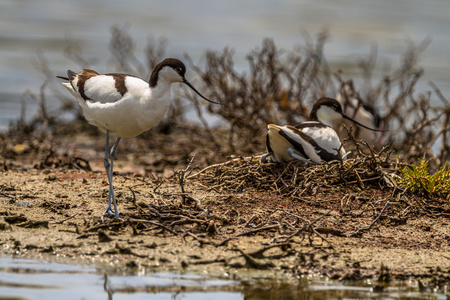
(279, 87)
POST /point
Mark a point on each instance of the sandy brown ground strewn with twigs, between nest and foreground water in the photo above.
(341, 231)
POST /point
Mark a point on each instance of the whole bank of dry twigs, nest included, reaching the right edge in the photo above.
(367, 180)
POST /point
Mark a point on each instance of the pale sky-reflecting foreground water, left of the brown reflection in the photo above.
(33, 279)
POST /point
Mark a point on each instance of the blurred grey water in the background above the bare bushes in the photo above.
(34, 30)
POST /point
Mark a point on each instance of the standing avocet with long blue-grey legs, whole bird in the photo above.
(125, 105)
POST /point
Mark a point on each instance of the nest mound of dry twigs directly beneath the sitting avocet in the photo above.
(369, 167)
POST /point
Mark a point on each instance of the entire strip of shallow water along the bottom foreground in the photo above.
(36, 279)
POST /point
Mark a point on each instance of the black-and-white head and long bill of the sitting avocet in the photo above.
(328, 110)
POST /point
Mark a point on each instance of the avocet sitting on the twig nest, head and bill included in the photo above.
(314, 141)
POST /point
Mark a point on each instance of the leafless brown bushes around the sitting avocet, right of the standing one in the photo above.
(282, 85)
